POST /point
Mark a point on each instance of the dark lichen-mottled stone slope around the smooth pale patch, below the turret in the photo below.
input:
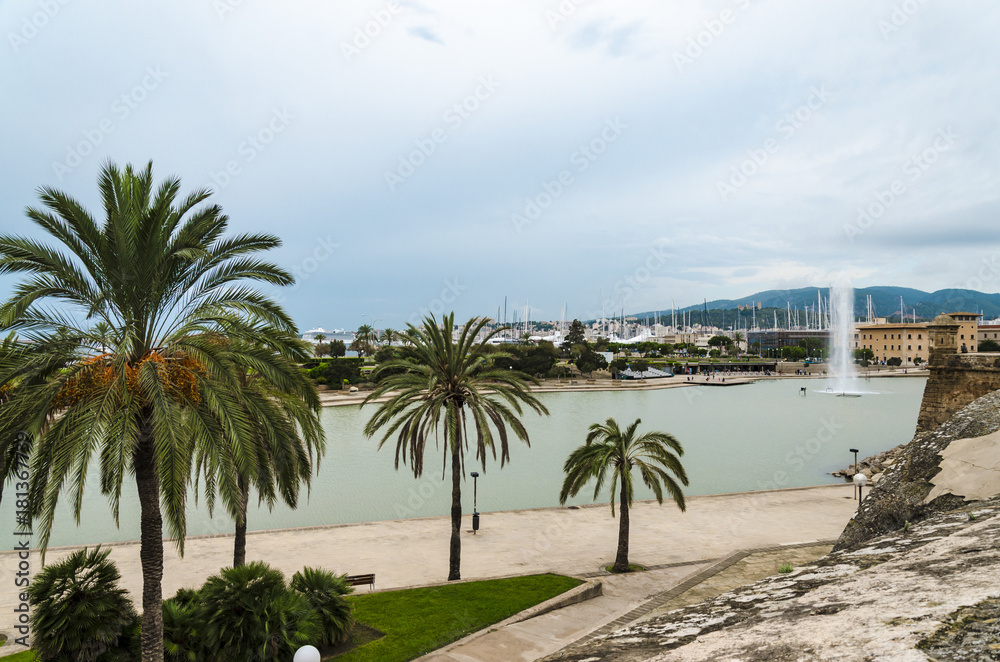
(899, 496)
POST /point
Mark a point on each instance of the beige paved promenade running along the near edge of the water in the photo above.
(572, 541)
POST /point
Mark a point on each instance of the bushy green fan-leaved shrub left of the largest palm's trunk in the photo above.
(79, 612)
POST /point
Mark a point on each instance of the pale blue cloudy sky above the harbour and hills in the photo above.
(584, 154)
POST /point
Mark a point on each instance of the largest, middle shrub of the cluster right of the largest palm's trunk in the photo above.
(249, 614)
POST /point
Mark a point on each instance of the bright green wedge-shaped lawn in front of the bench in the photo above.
(417, 621)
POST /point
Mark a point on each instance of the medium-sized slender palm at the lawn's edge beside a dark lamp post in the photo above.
(441, 384)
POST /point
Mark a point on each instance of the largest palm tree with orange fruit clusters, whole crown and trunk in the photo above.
(160, 272)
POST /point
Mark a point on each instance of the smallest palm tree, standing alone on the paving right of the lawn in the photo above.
(607, 447)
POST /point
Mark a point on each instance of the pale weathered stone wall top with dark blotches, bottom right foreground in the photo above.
(877, 602)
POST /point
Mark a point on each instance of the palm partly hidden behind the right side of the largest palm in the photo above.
(286, 440)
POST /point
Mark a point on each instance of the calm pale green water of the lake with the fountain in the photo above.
(738, 438)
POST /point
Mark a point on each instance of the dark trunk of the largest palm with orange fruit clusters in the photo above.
(150, 545)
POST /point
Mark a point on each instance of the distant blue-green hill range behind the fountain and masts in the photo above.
(886, 300)
